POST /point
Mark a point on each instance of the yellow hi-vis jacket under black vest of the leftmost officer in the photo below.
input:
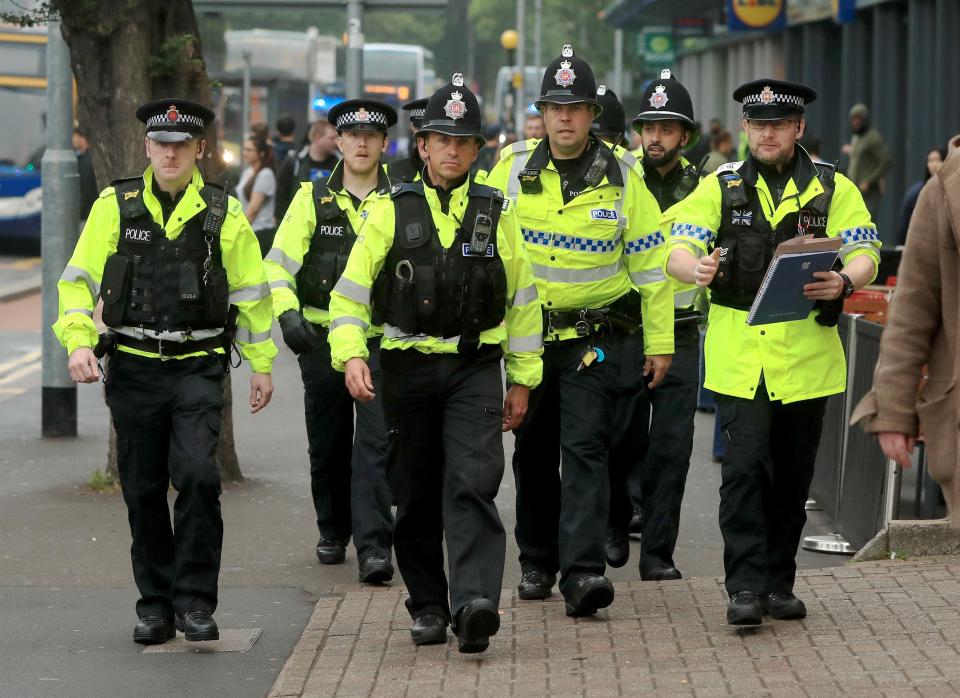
(79, 286)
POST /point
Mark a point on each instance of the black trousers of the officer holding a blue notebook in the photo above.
(771, 449)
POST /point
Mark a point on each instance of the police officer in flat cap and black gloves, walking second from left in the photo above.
(347, 474)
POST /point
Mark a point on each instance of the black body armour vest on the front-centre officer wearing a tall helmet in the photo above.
(425, 288)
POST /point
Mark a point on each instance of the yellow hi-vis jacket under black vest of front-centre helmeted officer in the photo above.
(521, 334)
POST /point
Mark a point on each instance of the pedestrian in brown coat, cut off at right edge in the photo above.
(924, 331)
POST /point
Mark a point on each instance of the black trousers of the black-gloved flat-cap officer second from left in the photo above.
(348, 477)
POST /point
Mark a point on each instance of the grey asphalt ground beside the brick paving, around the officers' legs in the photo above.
(65, 579)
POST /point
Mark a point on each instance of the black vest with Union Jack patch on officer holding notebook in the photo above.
(747, 241)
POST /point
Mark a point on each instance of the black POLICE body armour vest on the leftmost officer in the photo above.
(165, 285)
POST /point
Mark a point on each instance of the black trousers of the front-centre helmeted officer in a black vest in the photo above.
(445, 463)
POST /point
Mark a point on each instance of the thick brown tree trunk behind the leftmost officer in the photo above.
(125, 53)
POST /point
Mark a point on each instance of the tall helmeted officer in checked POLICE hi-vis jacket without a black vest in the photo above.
(592, 235)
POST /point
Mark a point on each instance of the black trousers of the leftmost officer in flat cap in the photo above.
(167, 418)
